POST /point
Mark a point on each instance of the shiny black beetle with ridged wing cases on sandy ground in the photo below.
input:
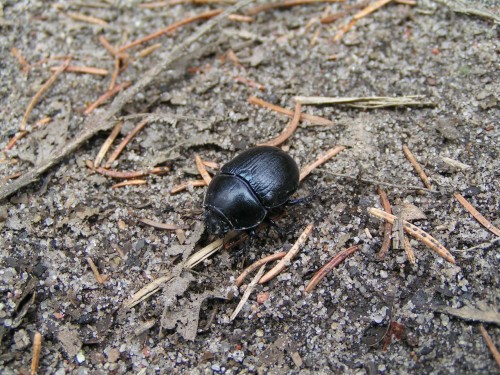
(241, 195)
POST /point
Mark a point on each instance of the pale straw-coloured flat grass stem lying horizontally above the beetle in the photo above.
(370, 102)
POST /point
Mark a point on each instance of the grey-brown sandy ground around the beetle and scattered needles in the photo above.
(367, 316)
